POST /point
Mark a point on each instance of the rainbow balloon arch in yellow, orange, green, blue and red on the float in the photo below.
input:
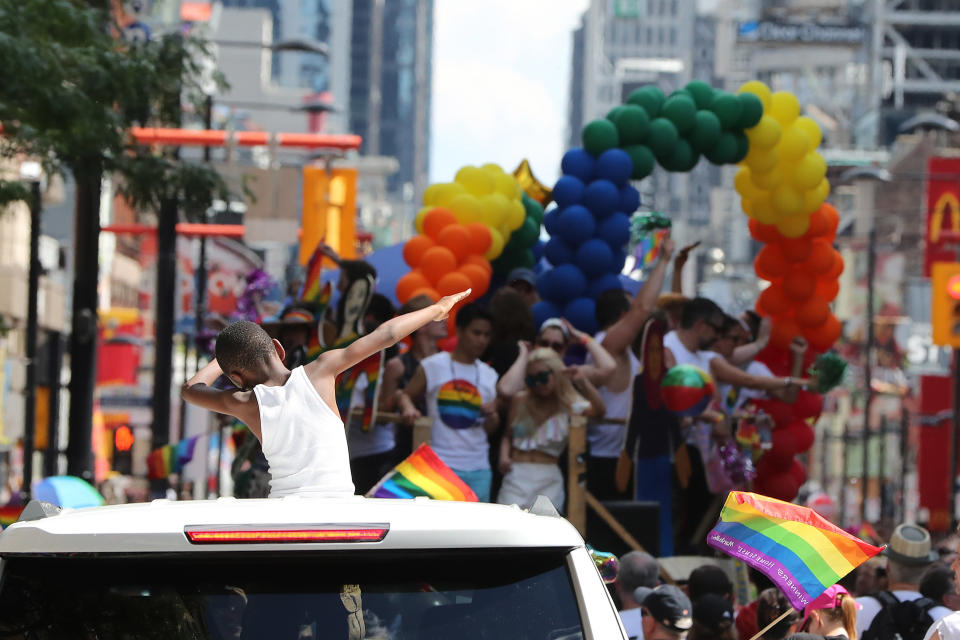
(483, 223)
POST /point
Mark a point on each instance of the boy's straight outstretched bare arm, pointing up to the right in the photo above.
(387, 334)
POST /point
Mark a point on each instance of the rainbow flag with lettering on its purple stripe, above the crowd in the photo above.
(800, 551)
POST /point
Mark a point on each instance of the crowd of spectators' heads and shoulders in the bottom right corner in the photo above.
(909, 593)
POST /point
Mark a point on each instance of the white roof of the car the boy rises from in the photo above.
(159, 526)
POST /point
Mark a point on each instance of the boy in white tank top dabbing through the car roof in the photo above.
(293, 413)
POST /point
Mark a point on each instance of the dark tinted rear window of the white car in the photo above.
(343, 596)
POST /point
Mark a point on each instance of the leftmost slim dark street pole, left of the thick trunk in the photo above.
(30, 393)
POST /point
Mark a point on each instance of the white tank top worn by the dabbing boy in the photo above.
(303, 440)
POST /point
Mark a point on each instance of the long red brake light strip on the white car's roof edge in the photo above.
(288, 533)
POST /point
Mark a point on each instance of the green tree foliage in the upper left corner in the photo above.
(70, 90)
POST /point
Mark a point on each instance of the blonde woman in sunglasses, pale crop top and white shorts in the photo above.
(539, 426)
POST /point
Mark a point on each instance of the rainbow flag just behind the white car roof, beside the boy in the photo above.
(423, 474)
